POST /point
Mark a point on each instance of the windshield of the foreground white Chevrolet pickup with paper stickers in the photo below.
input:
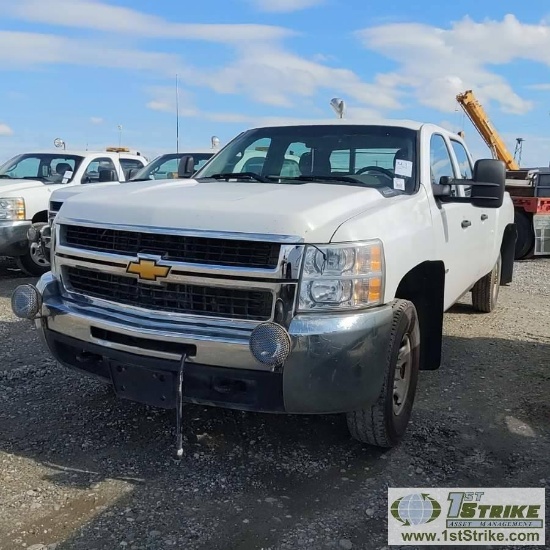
(374, 156)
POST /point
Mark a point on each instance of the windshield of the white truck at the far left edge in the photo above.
(46, 167)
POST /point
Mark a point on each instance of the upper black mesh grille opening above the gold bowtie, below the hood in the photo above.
(198, 250)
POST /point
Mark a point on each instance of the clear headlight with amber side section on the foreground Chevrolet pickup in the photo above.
(342, 276)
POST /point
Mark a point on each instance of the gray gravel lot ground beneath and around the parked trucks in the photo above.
(81, 470)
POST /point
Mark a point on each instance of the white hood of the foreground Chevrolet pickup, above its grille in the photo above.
(311, 211)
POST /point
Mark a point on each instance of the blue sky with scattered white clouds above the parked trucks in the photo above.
(80, 69)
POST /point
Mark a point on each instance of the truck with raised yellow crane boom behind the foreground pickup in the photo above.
(529, 188)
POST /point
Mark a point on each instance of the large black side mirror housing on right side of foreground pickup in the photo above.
(489, 183)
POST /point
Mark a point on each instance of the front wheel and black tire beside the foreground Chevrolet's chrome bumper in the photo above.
(385, 422)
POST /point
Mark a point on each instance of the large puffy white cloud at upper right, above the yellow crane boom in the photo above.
(437, 63)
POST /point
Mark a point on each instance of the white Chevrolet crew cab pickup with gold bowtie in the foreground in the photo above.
(317, 292)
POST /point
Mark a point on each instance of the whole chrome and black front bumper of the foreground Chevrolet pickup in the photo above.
(337, 362)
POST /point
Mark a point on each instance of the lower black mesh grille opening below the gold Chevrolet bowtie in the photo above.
(172, 297)
